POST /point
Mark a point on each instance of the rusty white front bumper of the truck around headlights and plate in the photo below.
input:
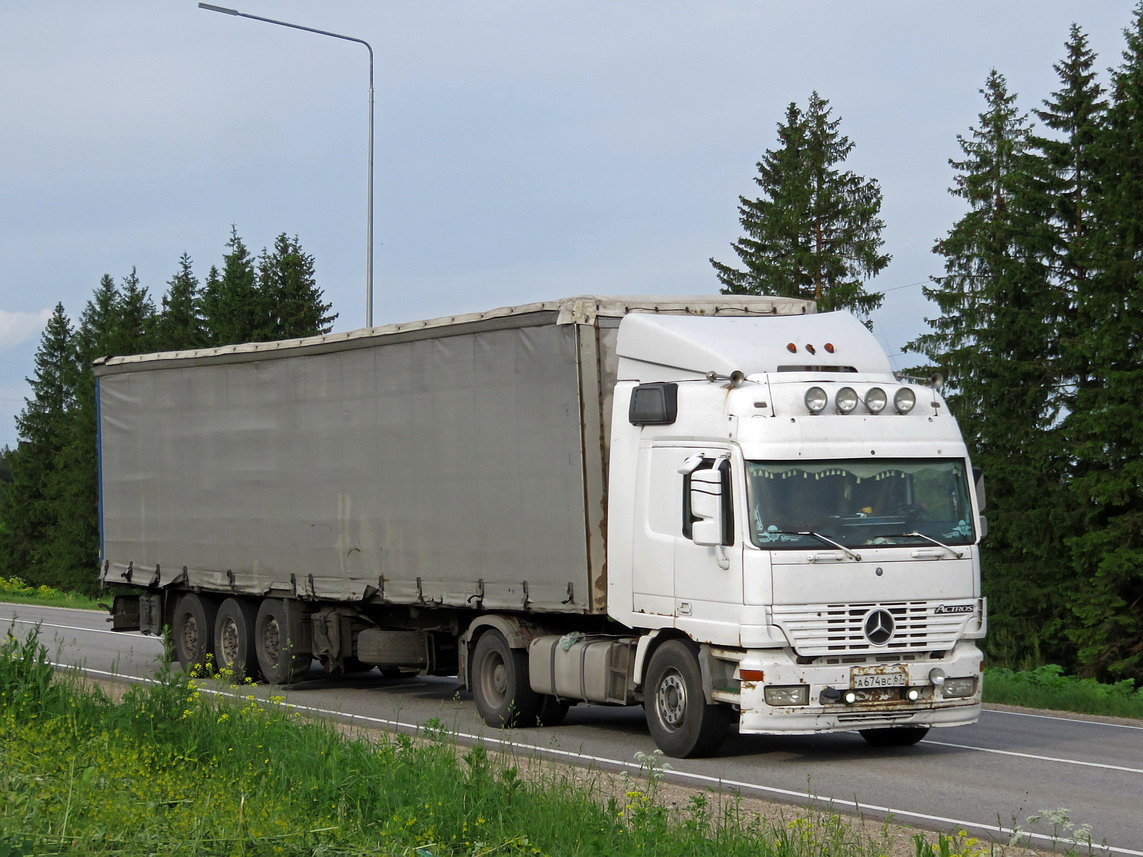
(873, 709)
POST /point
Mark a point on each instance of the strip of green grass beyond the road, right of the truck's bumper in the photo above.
(1048, 687)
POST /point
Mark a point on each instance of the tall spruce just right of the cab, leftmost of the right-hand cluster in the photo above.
(997, 301)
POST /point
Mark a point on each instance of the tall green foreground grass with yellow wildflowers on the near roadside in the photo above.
(172, 771)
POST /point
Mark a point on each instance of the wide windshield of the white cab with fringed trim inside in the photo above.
(859, 503)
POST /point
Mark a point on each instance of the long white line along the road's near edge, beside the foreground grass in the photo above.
(680, 775)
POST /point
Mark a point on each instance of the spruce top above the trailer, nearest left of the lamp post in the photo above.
(287, 284)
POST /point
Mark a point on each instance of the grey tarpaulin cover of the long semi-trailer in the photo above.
(457, 462)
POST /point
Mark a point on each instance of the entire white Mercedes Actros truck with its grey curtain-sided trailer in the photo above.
(726, 509)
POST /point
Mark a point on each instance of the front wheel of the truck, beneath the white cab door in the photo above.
(681, 720)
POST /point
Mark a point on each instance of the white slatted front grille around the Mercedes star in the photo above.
(821, 630)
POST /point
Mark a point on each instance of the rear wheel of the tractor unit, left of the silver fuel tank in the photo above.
(500, 684)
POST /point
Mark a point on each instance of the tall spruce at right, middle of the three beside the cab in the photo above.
(1054, 202)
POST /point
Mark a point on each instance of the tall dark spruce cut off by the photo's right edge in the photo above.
(1105, 428)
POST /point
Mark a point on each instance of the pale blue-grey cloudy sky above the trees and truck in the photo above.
(525, 150)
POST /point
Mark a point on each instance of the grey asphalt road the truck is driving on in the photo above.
(985, 779)
